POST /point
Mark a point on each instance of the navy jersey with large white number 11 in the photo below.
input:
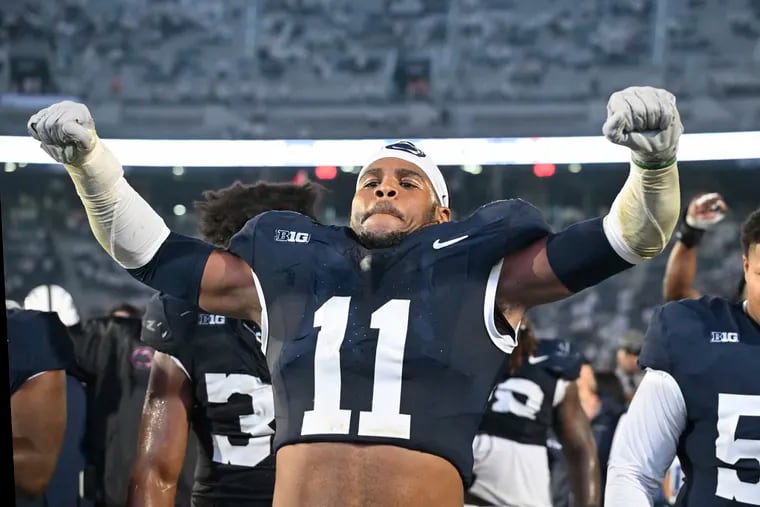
(391, 346)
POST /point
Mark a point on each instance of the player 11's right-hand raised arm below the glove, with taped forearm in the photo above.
(637, 228)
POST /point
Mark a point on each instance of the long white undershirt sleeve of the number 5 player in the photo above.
(645, 442)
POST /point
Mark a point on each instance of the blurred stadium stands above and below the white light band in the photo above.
(372, 69)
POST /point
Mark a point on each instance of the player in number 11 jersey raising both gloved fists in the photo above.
(380, 337)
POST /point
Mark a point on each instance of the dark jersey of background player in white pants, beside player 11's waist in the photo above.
(521, 407)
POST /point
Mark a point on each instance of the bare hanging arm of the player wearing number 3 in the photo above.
(163, 436)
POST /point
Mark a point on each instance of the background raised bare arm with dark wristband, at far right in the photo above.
(704, 211)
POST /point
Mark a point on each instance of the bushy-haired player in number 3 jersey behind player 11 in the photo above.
(209, 373)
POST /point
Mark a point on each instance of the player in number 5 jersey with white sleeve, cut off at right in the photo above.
(700, 400)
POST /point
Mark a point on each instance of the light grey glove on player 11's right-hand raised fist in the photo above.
(646, 120)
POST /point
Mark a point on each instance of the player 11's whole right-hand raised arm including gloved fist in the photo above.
(639, 224)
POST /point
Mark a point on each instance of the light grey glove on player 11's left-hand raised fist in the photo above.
(65, 130)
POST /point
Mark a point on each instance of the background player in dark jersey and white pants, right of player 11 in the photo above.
(537, 394)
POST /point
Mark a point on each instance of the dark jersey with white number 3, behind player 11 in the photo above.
(233, 412)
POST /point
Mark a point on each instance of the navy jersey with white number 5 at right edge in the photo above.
(712, 349)
